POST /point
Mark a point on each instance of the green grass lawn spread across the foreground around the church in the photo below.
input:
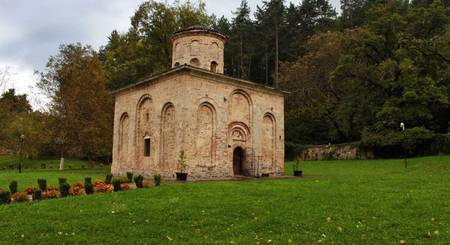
(338, 202)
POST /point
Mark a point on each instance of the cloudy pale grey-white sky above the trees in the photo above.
(32, 31)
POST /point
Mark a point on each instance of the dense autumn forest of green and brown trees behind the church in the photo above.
(353, 75)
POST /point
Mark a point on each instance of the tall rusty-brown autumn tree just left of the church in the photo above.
(81, 106)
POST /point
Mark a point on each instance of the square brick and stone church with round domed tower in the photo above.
(225, 126)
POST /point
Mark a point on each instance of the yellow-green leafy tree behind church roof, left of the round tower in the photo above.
(146, 49)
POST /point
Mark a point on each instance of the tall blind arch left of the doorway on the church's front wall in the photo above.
(206, 130)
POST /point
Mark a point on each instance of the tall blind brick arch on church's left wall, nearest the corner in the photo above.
(168, 155)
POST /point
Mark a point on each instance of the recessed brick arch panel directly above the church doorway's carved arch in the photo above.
(240, 107)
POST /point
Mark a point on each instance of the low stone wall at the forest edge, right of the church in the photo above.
(335, 152)
